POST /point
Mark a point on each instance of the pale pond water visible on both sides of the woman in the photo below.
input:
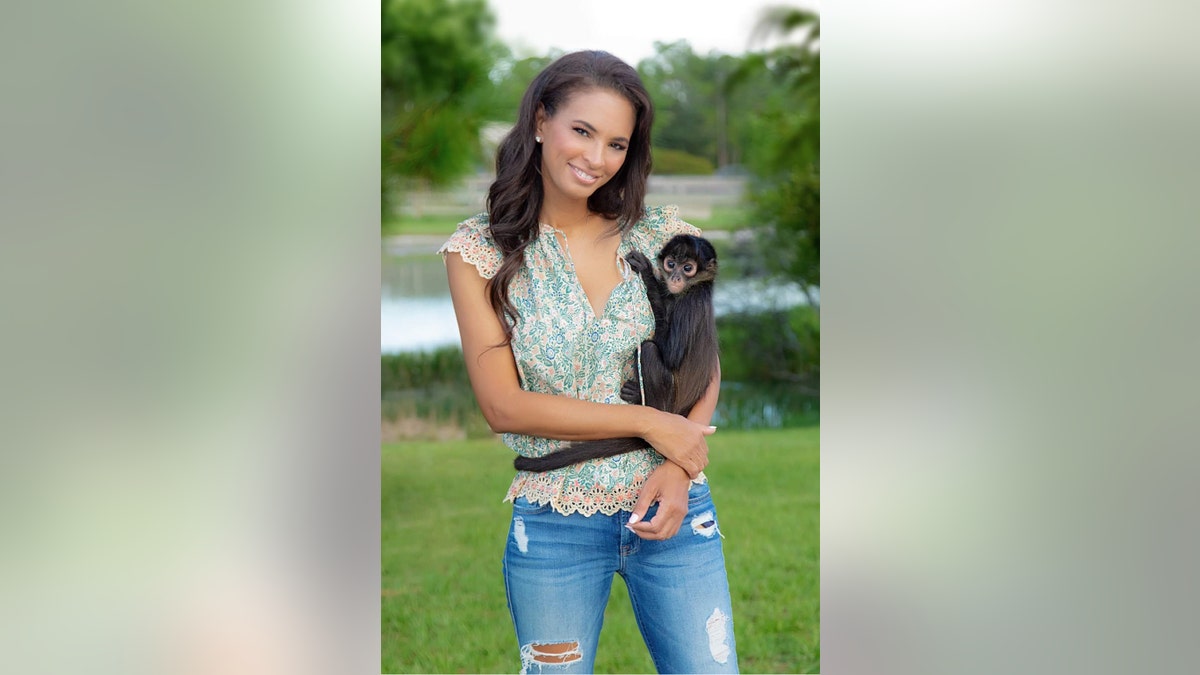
(417, 314)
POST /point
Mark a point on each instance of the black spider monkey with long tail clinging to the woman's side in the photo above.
(680, 363)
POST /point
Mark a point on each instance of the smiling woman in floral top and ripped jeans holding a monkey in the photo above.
(550, 315)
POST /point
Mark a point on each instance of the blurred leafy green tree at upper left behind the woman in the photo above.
(436, 57)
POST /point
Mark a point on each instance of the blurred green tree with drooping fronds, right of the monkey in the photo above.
(785, 148)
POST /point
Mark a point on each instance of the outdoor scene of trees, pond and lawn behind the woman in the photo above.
(737, 148)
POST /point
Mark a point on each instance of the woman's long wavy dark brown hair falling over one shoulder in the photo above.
(514, 201)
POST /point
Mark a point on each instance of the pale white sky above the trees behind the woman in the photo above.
(629, 28)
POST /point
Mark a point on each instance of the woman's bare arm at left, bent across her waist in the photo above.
(509, 409)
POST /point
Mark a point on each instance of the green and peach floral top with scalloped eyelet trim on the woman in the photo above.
(563, 348)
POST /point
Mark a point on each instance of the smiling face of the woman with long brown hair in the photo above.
(585, 144)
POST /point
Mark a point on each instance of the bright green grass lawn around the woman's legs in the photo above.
(443, 535)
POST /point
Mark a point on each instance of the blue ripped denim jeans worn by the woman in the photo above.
(559, 574)
